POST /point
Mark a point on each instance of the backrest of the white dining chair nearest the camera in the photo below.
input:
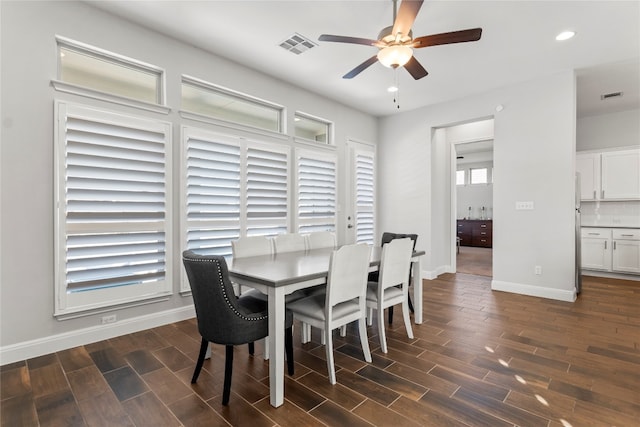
(347, 277)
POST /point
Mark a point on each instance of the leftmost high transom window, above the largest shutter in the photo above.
(98, 70)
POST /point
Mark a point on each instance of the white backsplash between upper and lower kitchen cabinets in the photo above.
(610, 214)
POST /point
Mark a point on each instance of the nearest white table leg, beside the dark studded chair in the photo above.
(276, 346)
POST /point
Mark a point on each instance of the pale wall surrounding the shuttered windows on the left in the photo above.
(28, 31)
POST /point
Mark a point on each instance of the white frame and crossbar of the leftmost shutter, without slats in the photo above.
(73, 304)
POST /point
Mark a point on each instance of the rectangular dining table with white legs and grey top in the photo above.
(280, 274)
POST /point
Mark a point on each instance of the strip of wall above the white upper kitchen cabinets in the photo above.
(605, 131)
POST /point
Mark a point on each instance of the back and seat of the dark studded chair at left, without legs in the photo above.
(220, 319)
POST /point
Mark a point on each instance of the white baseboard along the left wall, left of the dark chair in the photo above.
(41, 346)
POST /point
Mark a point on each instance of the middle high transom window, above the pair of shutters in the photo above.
(219, 103)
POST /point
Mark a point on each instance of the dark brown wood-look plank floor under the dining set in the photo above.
(481, 358)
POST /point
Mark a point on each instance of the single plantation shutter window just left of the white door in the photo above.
(316, 191)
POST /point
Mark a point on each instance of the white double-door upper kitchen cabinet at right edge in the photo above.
(609, 175)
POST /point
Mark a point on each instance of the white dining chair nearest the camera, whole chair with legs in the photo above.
(343, 302)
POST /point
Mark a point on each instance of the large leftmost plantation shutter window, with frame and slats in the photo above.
(113, 221)
